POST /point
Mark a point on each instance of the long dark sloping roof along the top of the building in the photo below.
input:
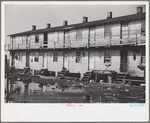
(87, 24)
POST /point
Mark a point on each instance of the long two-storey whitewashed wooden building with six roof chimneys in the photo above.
(115, 42)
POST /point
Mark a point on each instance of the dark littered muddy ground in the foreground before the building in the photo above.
(81, 92)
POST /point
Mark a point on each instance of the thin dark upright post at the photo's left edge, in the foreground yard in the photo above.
(7, 72)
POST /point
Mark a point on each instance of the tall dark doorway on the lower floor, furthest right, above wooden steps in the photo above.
(124, 64)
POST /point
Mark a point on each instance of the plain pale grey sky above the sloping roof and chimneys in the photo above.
(19, 18)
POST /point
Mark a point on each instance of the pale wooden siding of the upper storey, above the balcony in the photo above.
(119, 33)
